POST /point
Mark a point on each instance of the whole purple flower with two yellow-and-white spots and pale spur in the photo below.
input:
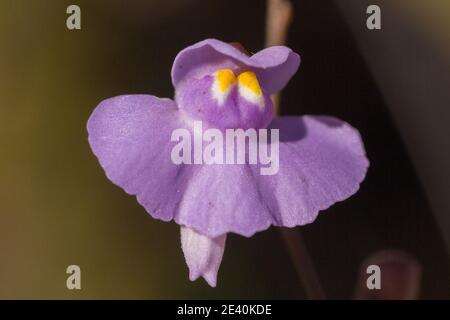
(321, 159)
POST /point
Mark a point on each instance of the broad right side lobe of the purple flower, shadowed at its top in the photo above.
(322, 161)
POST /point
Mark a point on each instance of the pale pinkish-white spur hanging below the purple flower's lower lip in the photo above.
(203, 254)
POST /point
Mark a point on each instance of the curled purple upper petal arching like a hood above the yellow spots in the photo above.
(273, 66)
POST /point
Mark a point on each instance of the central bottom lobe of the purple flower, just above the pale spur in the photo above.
(222, 198)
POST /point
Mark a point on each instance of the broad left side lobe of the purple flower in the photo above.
(130, 135)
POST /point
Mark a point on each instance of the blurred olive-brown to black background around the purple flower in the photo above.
(57, 208)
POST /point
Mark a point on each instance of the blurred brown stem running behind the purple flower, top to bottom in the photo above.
(278, 18)
